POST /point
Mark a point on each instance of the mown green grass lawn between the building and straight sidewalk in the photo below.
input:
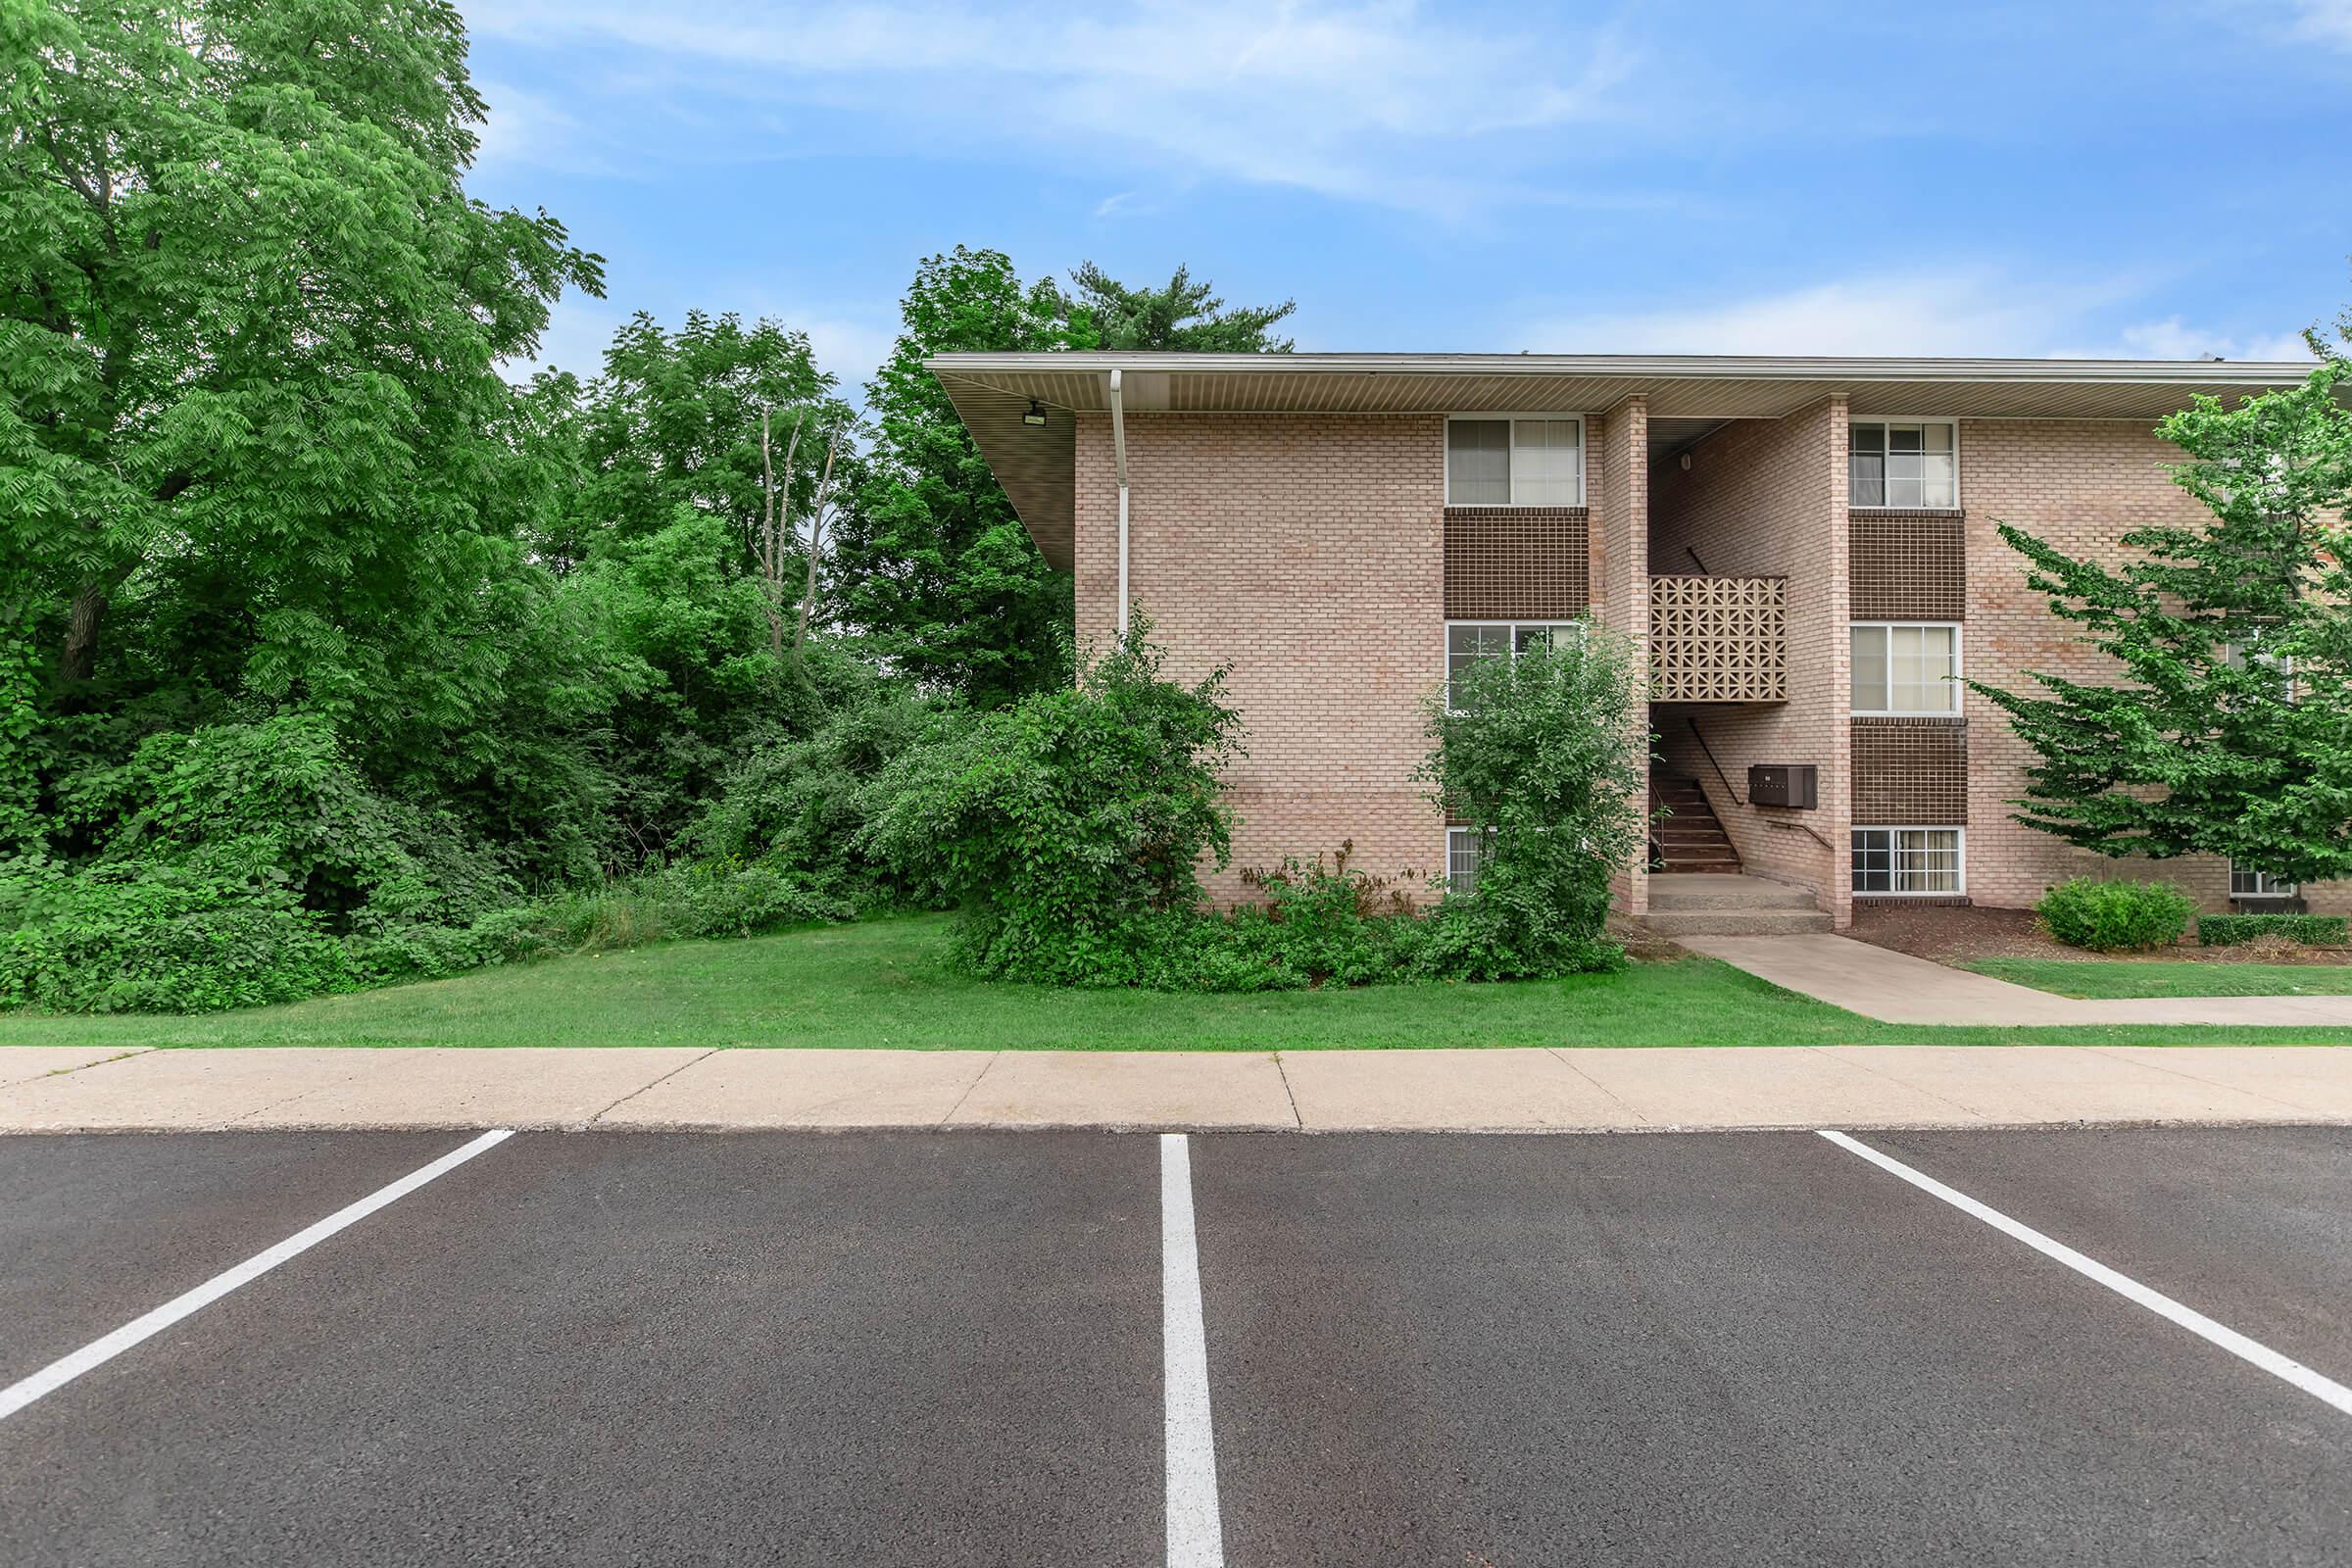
(886, 984)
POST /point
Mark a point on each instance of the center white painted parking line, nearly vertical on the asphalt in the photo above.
(1196, 1532)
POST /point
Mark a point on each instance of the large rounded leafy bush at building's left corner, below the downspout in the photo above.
(1069, 826)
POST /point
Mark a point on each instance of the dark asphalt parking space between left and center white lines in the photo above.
(653, 1351)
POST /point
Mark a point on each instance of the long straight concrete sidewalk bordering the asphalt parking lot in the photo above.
(48, 1090)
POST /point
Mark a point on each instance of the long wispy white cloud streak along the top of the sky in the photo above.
(1363, 100)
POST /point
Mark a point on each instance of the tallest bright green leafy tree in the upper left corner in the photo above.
(250, 328)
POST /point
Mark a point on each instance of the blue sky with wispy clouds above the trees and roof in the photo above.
(2149, 180)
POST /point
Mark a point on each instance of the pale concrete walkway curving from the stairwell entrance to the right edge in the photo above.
(1899, 989)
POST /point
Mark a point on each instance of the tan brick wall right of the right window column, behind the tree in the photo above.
(2080, 485)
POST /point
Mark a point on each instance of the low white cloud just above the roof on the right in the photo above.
(1965, 311)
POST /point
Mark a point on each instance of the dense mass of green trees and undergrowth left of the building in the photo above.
(328, 657)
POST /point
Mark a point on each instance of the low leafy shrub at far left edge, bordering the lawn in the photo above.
(159, 939)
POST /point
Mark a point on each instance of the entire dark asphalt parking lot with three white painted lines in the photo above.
(989, 1348)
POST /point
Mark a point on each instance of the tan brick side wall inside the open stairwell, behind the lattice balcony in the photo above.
(1770, 500)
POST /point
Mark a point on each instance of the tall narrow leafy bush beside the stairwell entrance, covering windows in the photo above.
(1546, 756)
